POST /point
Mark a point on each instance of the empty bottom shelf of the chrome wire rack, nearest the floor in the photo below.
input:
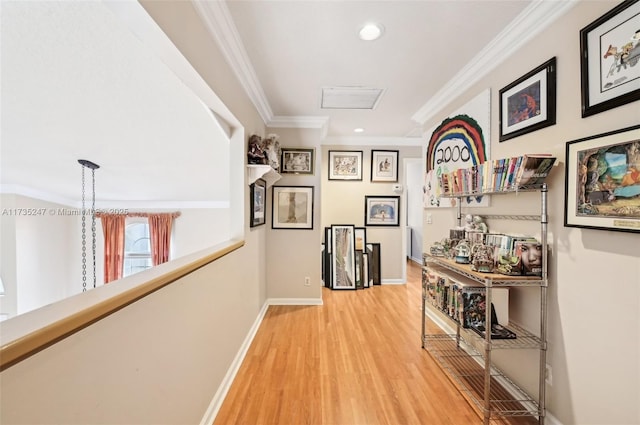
(465, 366)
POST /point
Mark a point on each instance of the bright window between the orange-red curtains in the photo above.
(137, 247)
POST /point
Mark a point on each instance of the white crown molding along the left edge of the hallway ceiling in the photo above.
(219, 23)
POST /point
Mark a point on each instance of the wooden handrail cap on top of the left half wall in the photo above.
(23, 347)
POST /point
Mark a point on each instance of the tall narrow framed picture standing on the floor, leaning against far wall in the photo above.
(343, 267)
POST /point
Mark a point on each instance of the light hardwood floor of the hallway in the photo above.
(357, 359)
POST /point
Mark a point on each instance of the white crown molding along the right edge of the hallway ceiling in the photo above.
(528, 24)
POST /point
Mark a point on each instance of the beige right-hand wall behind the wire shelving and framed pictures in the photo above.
(594, 289)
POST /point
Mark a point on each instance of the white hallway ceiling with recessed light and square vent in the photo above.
(298, 47)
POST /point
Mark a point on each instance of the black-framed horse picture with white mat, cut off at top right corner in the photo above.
(609, 56)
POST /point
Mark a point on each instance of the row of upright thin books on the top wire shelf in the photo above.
(498, 175)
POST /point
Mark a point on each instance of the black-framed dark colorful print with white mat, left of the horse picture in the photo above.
(529, 103)
